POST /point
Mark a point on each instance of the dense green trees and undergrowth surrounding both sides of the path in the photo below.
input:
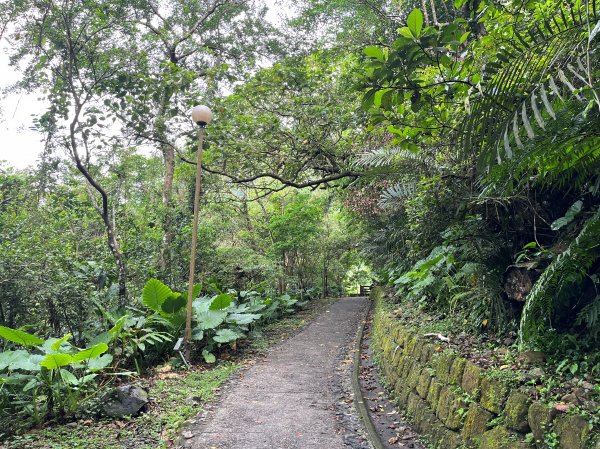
(447, 150)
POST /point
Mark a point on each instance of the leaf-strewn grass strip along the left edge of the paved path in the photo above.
(175, 397)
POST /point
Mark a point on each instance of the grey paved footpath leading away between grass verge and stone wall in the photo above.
(291, 399)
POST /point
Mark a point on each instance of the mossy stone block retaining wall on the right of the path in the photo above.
(455, 404)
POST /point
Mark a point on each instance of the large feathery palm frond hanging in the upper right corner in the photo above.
(545, 74)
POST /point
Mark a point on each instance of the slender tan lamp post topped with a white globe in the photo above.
(202, 116)
